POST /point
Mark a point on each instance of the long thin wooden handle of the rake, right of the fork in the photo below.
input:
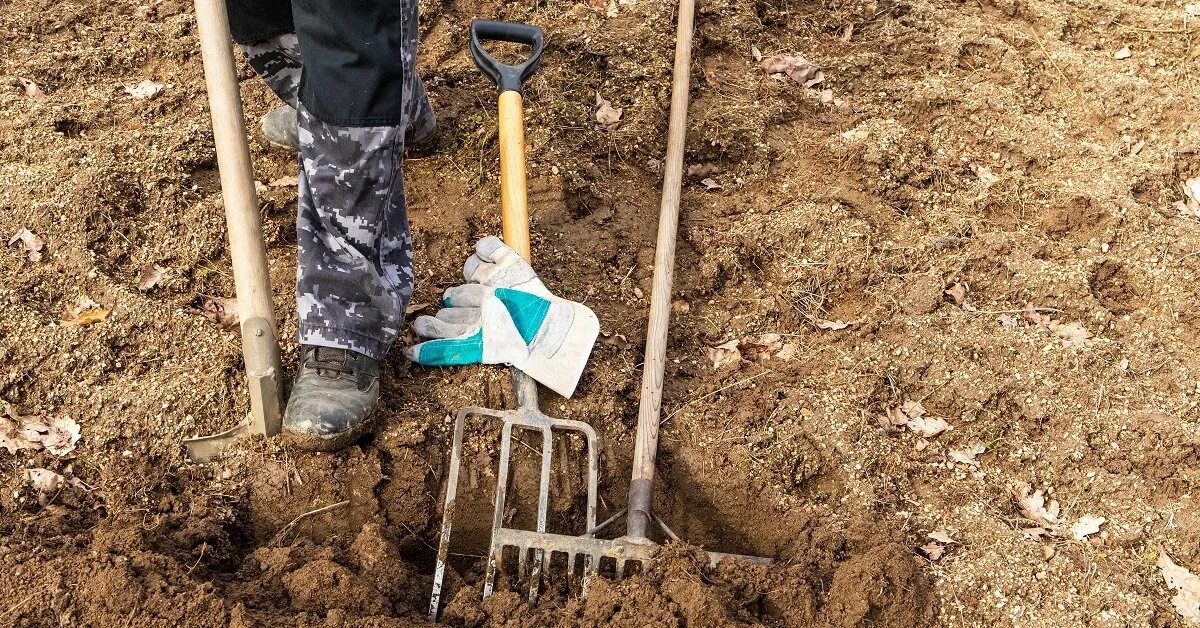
(646, 447)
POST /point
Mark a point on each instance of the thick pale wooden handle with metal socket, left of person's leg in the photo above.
(248, 252)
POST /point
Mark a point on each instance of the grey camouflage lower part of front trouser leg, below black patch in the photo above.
(355, 277)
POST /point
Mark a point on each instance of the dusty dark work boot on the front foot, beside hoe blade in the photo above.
(333, 399)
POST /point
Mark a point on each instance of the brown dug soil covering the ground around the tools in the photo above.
(998, 148)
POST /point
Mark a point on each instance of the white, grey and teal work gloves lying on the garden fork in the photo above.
(505, 315)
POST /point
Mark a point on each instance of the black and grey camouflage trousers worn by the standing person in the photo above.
(355, 273)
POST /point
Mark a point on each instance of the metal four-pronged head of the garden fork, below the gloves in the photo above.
(527, 417)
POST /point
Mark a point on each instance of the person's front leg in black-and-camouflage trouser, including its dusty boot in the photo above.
(358, 95)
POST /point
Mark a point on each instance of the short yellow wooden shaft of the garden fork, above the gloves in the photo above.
(514, 204)
